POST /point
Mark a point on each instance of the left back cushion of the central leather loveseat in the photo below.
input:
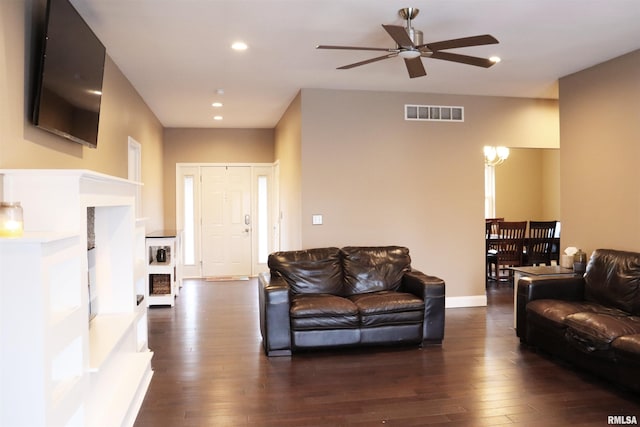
(309, 271)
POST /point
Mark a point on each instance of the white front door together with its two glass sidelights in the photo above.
(226, 215)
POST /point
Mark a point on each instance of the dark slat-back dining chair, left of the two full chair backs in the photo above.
(508, 247)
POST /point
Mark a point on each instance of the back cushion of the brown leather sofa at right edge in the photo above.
(613, 279)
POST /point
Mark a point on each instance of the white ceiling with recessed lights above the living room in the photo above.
(177, 53)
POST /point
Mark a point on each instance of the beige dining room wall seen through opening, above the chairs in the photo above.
(528, 185)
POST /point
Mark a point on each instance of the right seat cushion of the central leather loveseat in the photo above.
(388, 308)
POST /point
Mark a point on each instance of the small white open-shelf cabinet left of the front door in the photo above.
(163, 280)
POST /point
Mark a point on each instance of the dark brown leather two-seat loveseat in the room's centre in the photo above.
(331, 297)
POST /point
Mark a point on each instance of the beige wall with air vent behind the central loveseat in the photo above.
(379, 179)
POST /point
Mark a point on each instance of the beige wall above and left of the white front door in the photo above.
(186, 145)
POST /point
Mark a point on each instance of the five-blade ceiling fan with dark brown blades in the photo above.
(410, 47)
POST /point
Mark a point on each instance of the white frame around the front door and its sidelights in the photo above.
(257, 169)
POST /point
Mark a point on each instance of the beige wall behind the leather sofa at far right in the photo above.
(600, 133)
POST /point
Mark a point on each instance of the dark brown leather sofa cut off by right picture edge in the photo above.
(591, 321)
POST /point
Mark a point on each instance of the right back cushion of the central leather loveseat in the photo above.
(374, 269)
